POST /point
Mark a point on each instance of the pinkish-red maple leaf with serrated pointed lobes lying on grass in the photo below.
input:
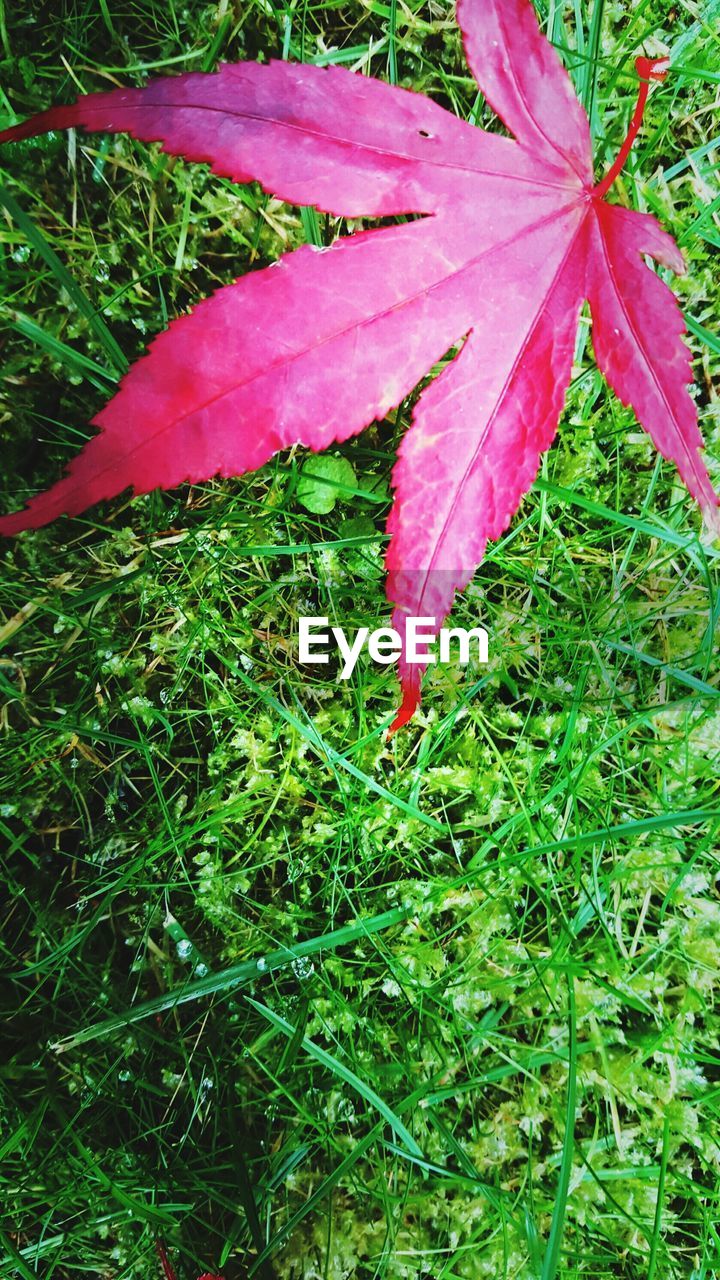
(517, 235)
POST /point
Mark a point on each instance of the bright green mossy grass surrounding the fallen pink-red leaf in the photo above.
(300, 1003)
